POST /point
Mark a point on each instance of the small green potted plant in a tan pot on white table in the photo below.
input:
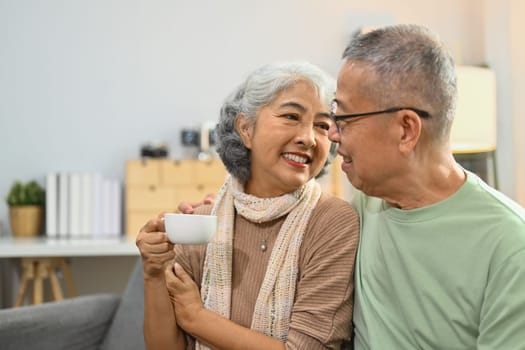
(26, 208)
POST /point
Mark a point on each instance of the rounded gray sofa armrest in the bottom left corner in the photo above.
(79, 323)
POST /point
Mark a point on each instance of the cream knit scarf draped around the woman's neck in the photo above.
(275, 300)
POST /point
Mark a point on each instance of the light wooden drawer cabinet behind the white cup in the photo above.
(154, 186)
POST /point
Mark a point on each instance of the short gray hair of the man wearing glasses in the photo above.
(410, 68)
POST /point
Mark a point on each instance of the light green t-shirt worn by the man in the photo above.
(447, 276)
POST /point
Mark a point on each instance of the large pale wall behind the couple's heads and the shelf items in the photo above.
(84, 83)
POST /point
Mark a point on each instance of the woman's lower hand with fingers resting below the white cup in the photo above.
(184, 295)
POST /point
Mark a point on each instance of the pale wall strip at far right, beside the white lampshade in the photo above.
(505, 52)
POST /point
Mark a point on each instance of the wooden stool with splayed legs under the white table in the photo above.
(36, 270)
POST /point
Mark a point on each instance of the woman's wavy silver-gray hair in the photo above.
(259, 89)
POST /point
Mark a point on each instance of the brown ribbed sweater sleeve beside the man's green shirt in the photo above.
(322, 312)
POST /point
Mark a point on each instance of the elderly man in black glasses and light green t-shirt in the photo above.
(441, 261)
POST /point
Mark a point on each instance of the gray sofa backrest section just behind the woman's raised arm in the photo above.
(126, 330)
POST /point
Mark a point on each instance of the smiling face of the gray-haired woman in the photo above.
(289, 142)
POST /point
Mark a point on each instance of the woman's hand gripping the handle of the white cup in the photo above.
(155, 248)
